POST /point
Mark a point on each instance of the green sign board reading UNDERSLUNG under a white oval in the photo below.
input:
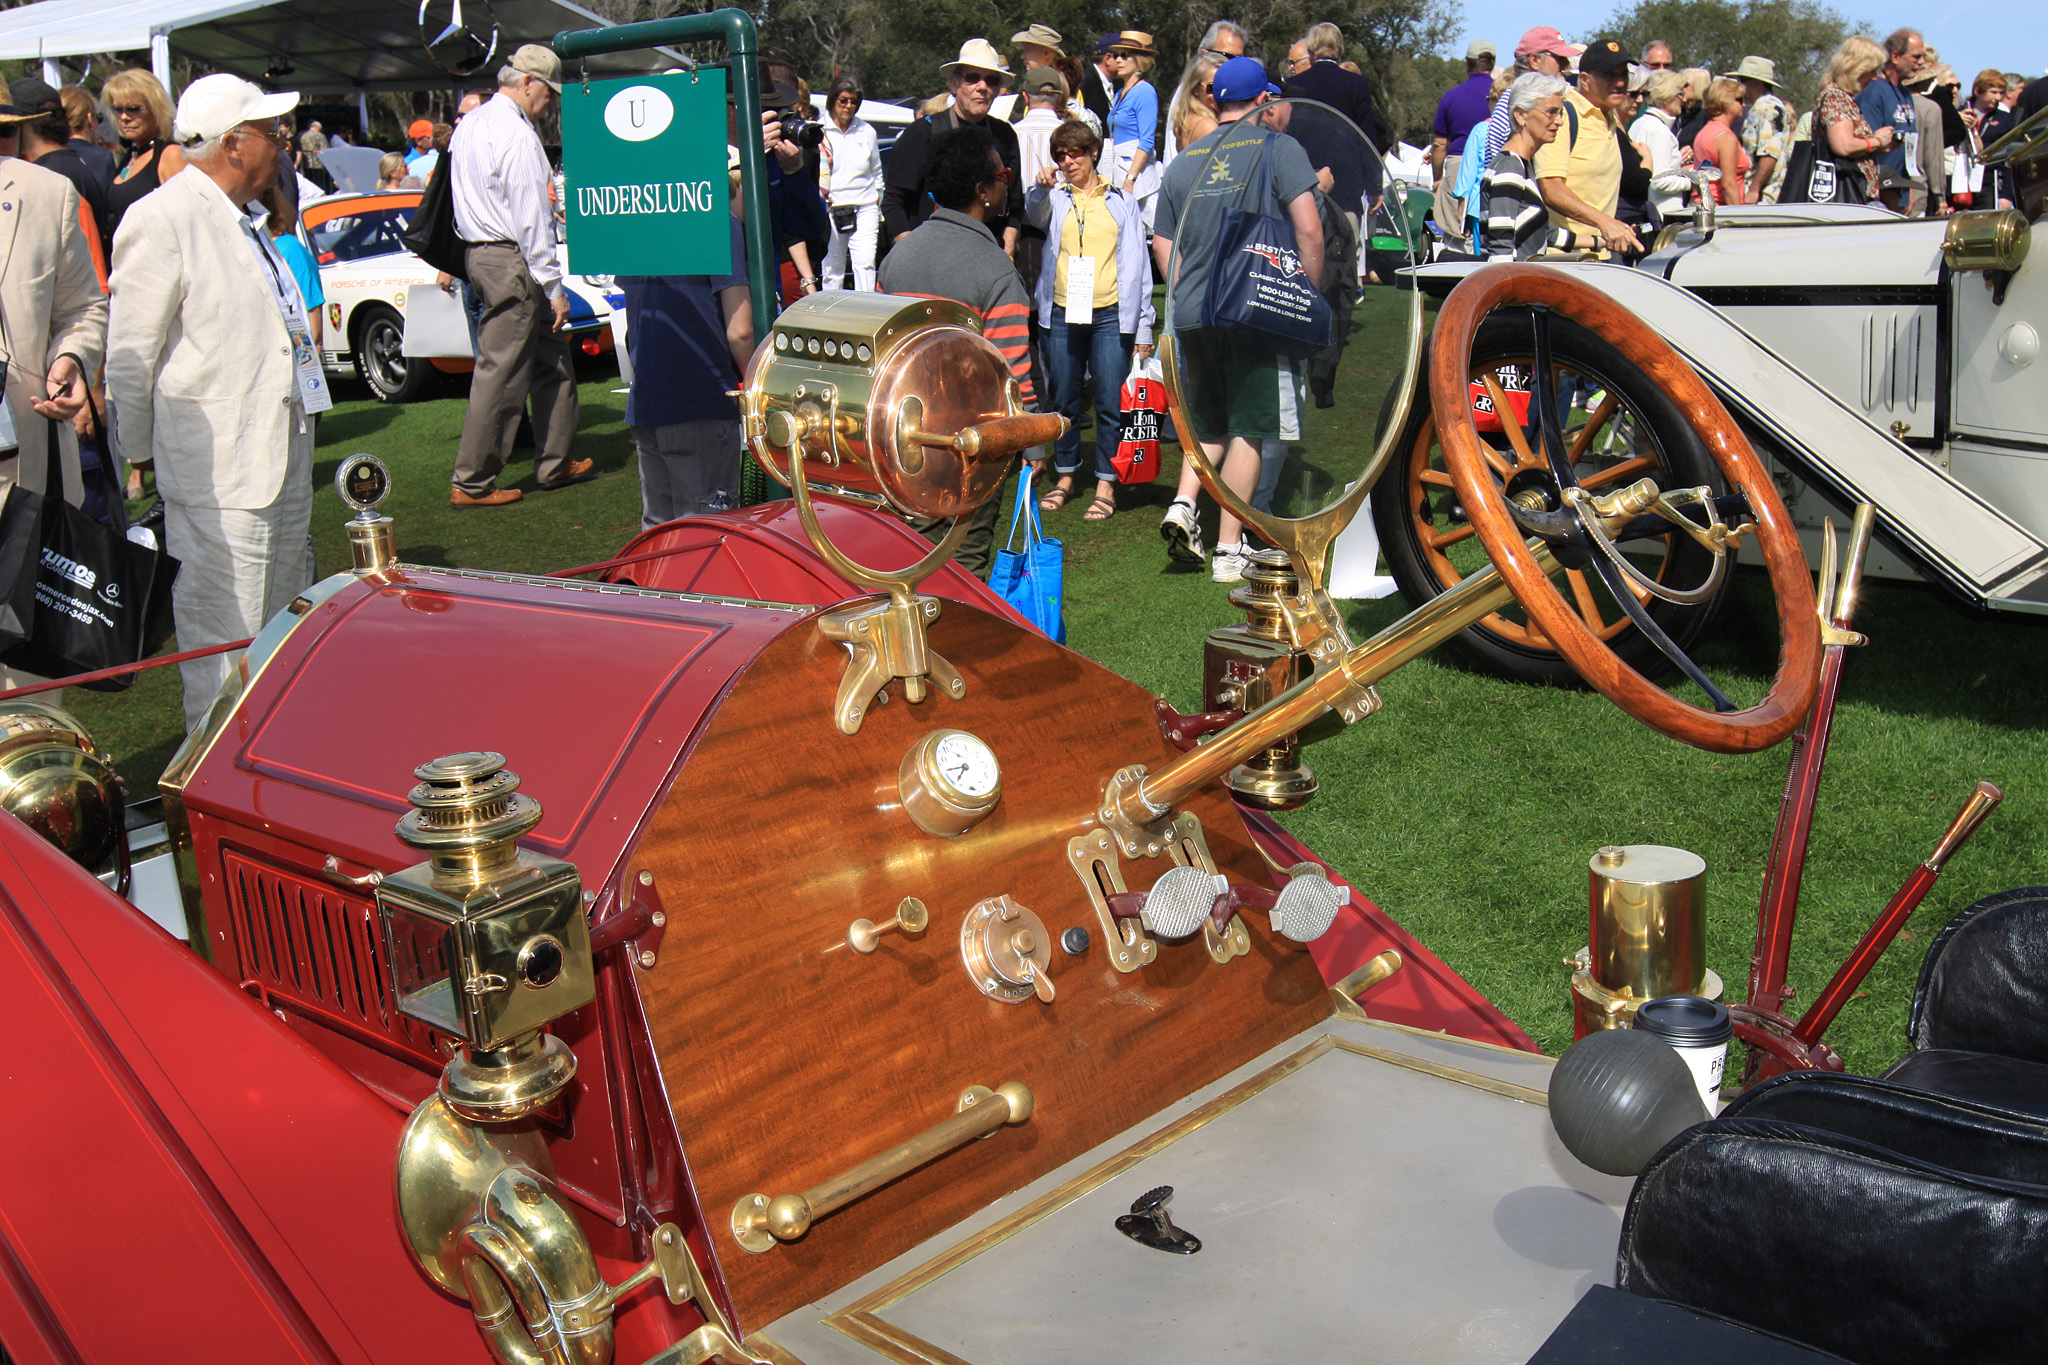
(644, 173)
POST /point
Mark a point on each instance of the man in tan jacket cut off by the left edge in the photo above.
(52, 326)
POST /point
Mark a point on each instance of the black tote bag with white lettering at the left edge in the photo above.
(99, 601)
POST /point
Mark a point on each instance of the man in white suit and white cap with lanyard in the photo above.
(214, 376)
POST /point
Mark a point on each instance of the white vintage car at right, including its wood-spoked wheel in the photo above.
(1867, 357)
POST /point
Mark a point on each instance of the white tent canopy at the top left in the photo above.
(308, 46)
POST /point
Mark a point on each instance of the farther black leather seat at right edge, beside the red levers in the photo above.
(1979, 1024)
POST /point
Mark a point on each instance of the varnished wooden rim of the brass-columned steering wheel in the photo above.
(1480, 476)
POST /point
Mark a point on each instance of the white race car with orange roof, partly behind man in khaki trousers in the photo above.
(370, 275)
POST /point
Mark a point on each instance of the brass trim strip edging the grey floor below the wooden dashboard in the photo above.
(861, 1323)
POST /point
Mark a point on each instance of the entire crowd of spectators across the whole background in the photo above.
(163, 275)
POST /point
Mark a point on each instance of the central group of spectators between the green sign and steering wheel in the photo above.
(1060, 247)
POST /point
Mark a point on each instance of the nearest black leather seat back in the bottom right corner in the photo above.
(1859, 1217)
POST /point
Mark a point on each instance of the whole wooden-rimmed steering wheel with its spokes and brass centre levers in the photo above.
(1584, 529)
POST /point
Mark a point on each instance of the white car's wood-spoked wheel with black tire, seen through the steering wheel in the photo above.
(1619, 431)
